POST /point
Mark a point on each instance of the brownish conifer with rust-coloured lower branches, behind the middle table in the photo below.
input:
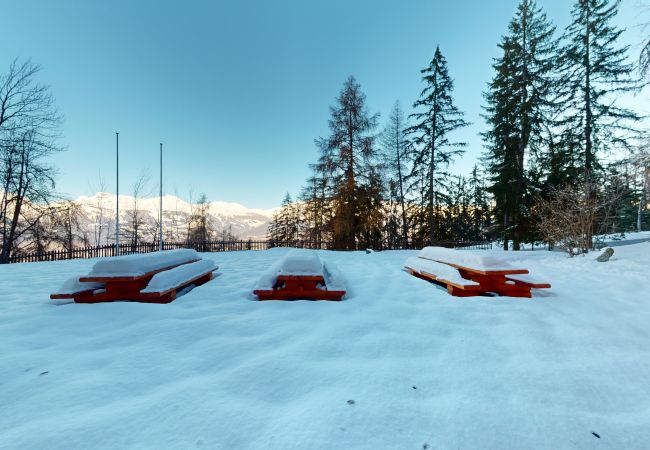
(347, 159)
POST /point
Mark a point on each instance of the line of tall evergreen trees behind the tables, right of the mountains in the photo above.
(559, 149)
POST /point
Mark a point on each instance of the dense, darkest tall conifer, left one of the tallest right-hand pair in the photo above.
(518, 112)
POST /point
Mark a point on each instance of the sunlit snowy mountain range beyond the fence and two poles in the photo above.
(241, 221)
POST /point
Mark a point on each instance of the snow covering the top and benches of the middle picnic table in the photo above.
(302, 262)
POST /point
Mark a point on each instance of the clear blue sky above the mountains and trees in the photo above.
(238, 90)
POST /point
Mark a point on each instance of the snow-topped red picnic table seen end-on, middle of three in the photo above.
(300, 275)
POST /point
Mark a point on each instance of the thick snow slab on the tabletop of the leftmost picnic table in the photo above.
(140, 264)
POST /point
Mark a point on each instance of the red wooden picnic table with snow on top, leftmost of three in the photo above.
(153, 278)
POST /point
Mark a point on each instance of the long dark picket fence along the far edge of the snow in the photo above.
(103, 251)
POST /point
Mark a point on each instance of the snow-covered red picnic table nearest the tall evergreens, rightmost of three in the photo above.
(469, 274)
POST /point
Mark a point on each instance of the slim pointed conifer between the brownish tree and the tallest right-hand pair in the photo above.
(432, 150)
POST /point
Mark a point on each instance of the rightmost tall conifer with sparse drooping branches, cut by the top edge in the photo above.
(594, 71)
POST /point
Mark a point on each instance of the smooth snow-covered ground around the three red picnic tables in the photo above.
(398, 365)
